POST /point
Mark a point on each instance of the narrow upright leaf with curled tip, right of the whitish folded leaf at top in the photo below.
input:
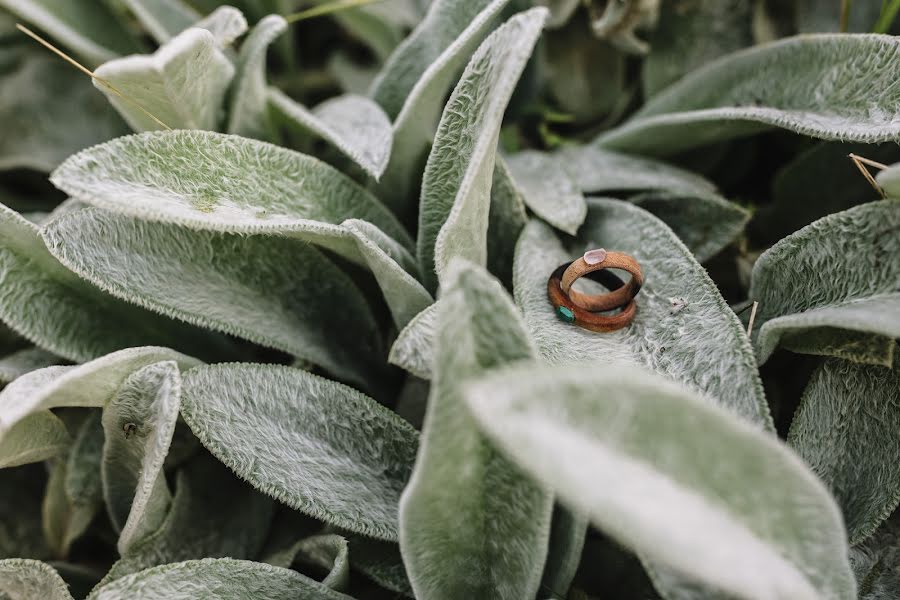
(248, 113)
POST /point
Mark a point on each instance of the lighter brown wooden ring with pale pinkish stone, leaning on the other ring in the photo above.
(596, 260)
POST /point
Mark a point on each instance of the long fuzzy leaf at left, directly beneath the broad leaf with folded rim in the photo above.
(270, 290)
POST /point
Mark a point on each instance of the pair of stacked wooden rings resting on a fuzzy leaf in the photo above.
(581, 309)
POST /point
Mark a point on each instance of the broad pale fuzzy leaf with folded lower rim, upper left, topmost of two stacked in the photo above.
(279, 192)
